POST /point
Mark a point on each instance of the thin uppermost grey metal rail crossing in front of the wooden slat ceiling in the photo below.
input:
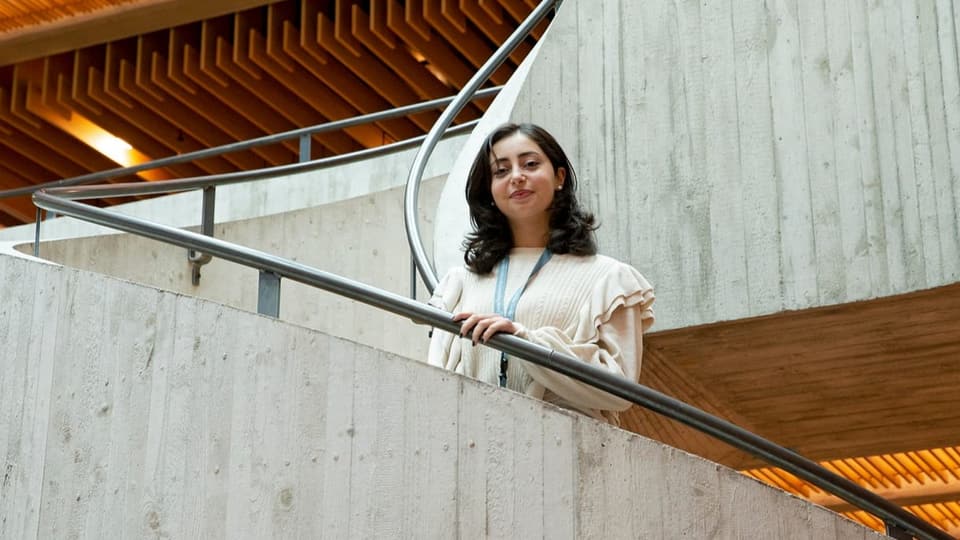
(245, 145)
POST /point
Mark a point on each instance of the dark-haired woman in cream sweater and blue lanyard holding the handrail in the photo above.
(532, 270)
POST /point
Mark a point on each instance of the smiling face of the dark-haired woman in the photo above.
(523, 182)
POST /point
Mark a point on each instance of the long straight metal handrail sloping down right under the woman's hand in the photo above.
(54, 199)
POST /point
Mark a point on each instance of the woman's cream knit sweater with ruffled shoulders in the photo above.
(595, 308)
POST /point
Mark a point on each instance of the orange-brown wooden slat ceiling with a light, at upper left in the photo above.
(241, 75)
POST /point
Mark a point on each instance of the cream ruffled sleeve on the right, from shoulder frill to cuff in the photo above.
(607, 333)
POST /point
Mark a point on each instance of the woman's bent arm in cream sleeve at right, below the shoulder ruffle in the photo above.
(618, 348)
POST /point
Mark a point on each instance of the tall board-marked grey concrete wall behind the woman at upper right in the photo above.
(756, 157)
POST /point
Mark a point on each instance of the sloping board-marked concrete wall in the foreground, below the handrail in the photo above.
(131, 412)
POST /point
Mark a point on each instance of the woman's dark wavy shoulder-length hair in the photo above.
(571, 228)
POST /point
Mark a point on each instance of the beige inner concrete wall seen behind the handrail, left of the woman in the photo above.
(360, 238)
